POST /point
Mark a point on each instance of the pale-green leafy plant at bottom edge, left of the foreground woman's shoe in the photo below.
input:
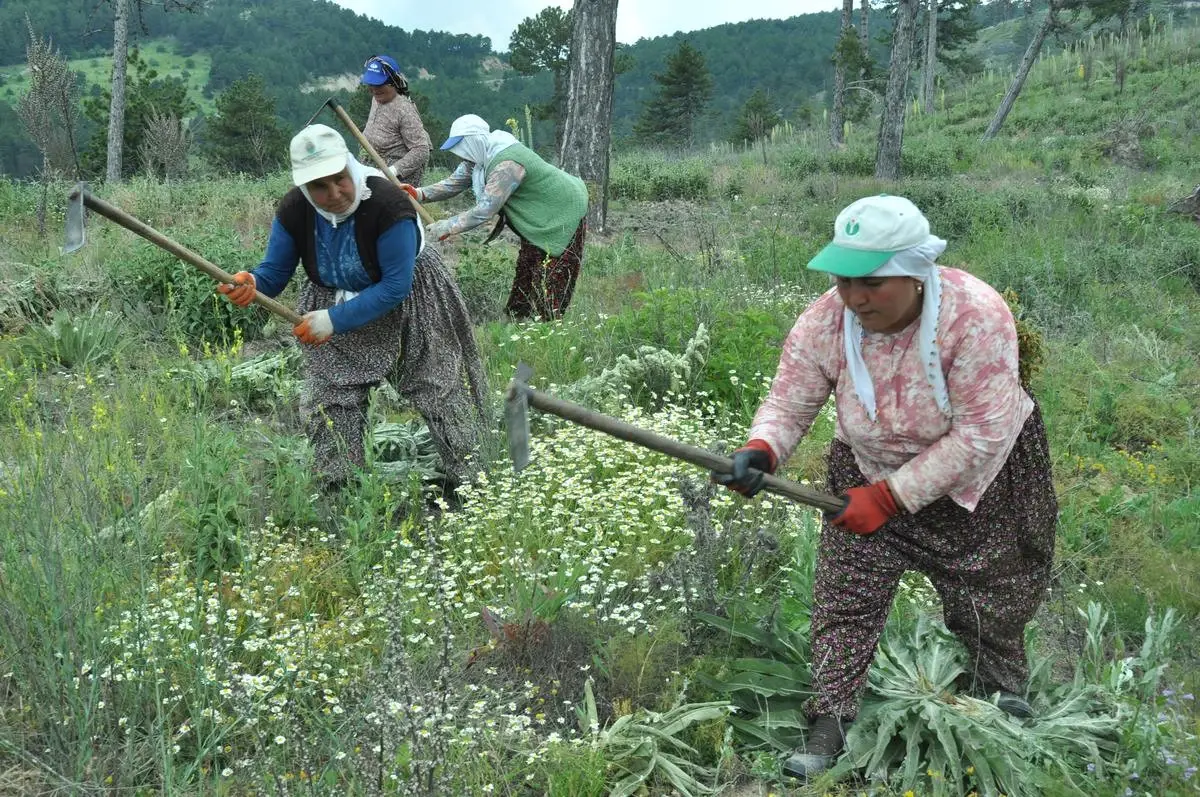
(644, 751)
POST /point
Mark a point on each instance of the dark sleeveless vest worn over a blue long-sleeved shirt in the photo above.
(374, 217)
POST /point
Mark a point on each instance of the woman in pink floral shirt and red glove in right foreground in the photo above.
(939, 451)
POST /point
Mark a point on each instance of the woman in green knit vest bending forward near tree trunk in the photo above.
(543, 205)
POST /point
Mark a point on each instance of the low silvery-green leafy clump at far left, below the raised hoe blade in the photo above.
(74, 341)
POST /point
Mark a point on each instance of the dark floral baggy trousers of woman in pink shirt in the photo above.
(991, 567)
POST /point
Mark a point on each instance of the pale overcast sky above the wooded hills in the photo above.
(635, 19)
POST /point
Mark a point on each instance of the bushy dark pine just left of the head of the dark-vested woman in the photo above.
(245, 136)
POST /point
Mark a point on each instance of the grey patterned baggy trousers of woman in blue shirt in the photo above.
(425, 349)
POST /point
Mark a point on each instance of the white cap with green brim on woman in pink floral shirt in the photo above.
(869, 233)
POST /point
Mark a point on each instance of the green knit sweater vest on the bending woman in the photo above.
(549, 205)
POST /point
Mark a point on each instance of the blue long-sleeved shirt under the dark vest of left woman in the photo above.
(340, 266)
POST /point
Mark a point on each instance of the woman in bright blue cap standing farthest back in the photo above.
(394, 125)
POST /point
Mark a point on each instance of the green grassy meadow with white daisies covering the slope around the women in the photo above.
(177, 597)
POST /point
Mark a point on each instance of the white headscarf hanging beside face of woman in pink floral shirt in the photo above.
(920, 263)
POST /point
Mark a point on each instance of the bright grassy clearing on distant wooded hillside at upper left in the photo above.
(159, 53)
